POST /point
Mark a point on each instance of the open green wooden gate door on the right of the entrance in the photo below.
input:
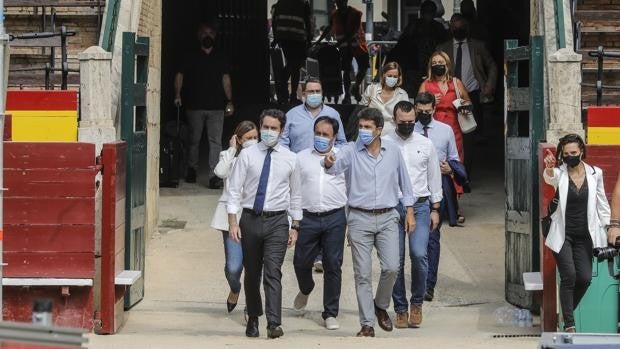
(524, 128)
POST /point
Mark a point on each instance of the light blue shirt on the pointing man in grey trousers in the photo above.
(373, 182)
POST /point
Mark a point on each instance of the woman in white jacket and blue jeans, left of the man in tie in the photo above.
(246, 135)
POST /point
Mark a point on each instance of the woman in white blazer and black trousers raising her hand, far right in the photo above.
(577, 225)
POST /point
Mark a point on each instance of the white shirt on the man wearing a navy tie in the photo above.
(283, 186)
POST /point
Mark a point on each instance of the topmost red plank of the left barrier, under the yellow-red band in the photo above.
(28, 155)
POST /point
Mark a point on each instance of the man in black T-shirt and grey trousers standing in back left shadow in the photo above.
(207, 98)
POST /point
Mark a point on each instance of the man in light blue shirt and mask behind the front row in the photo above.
(298, 133)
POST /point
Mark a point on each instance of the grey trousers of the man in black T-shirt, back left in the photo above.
(213, 122)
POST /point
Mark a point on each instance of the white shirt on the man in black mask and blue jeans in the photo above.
(422, 165)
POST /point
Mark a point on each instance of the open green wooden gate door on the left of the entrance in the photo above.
(133, 118)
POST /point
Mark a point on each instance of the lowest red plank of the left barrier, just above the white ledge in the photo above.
(49, 264)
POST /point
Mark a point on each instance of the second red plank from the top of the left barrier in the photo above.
(38, 183)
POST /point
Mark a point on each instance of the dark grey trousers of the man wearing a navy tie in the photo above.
(264, 241)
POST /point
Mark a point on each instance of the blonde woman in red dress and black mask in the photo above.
(440, 82)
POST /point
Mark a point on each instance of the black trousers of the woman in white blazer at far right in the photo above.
(575, 267)
